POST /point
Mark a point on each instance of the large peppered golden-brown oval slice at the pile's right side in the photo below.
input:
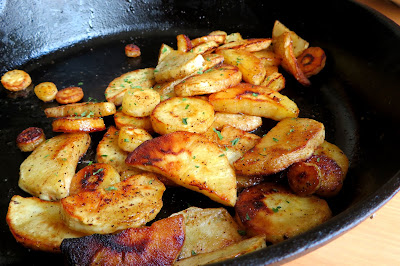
(290, 141)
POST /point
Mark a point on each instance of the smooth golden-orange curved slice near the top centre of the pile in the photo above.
(251, 67)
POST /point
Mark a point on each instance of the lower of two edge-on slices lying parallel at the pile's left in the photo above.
(78, 124)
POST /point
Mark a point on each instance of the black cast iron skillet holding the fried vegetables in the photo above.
(356, 96)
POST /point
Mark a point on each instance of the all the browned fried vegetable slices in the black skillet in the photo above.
(187, 123)
